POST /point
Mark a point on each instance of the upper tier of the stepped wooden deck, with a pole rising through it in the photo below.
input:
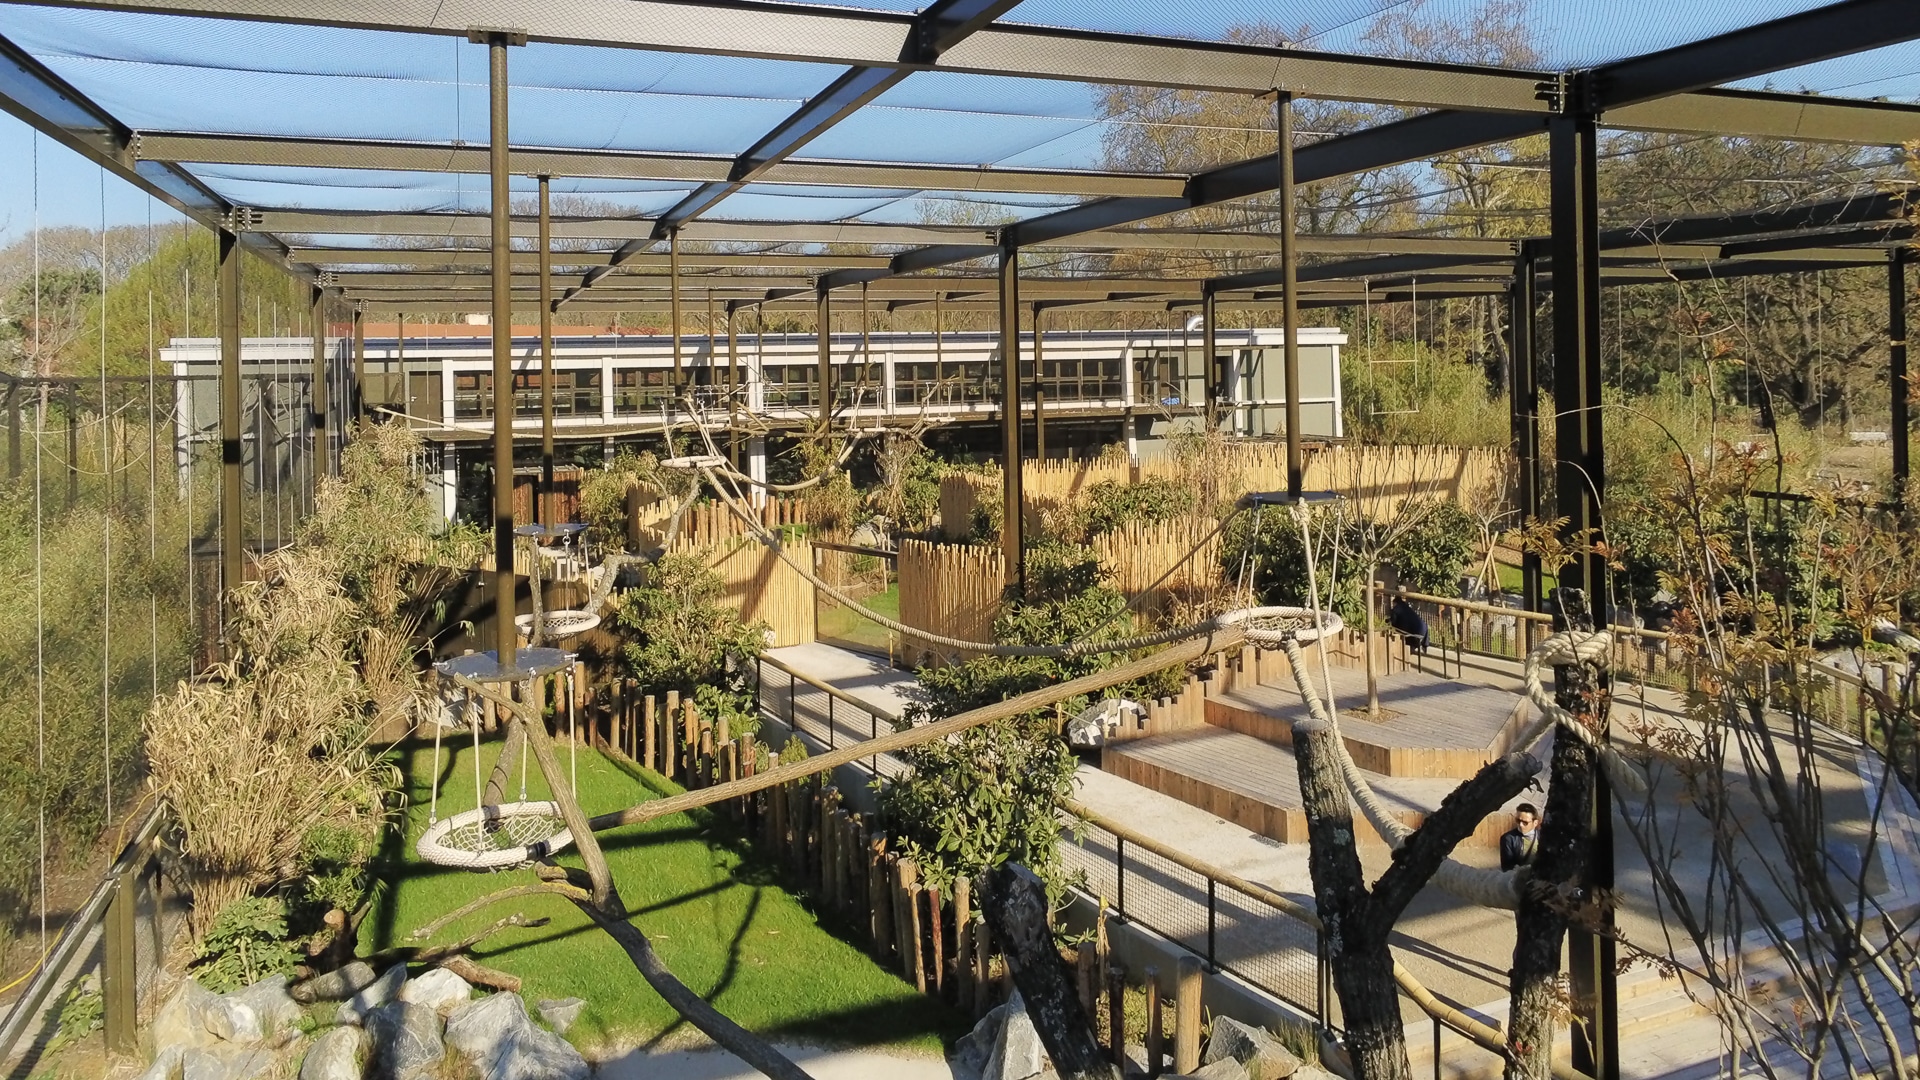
(1433, 727)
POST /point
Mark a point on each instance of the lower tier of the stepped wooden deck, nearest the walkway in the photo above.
(1257, 785)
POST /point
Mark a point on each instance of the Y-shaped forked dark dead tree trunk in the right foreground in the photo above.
(1360, 920)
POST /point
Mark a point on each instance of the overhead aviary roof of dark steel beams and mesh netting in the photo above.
(805, 147)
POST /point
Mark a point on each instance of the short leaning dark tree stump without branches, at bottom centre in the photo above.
(1017, 910)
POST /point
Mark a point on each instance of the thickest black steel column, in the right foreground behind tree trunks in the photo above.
(1579, 489)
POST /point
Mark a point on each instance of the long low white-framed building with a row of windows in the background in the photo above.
(1082, 391)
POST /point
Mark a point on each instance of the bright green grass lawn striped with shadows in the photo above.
(709, 904)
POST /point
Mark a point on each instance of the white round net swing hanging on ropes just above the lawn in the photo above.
(500, 837)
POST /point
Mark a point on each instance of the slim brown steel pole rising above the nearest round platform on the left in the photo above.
(506, 581)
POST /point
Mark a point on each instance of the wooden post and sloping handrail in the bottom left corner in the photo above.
(132, 910)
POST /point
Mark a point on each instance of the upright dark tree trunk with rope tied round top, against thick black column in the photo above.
(1556, 881)
